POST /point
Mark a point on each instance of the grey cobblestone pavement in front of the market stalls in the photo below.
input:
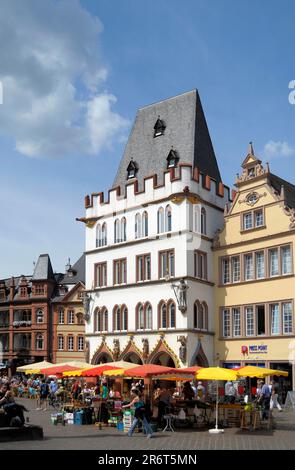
(90, 437)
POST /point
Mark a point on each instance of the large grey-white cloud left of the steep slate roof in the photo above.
(52, 72)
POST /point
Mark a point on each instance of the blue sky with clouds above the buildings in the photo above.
(73, 74)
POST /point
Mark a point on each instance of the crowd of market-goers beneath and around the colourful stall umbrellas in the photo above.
(46, 391)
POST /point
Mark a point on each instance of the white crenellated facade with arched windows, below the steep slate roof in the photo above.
(185, 197)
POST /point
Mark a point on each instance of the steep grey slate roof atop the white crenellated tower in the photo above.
(186, 130)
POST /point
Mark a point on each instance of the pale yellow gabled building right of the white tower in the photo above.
(254, 273)
